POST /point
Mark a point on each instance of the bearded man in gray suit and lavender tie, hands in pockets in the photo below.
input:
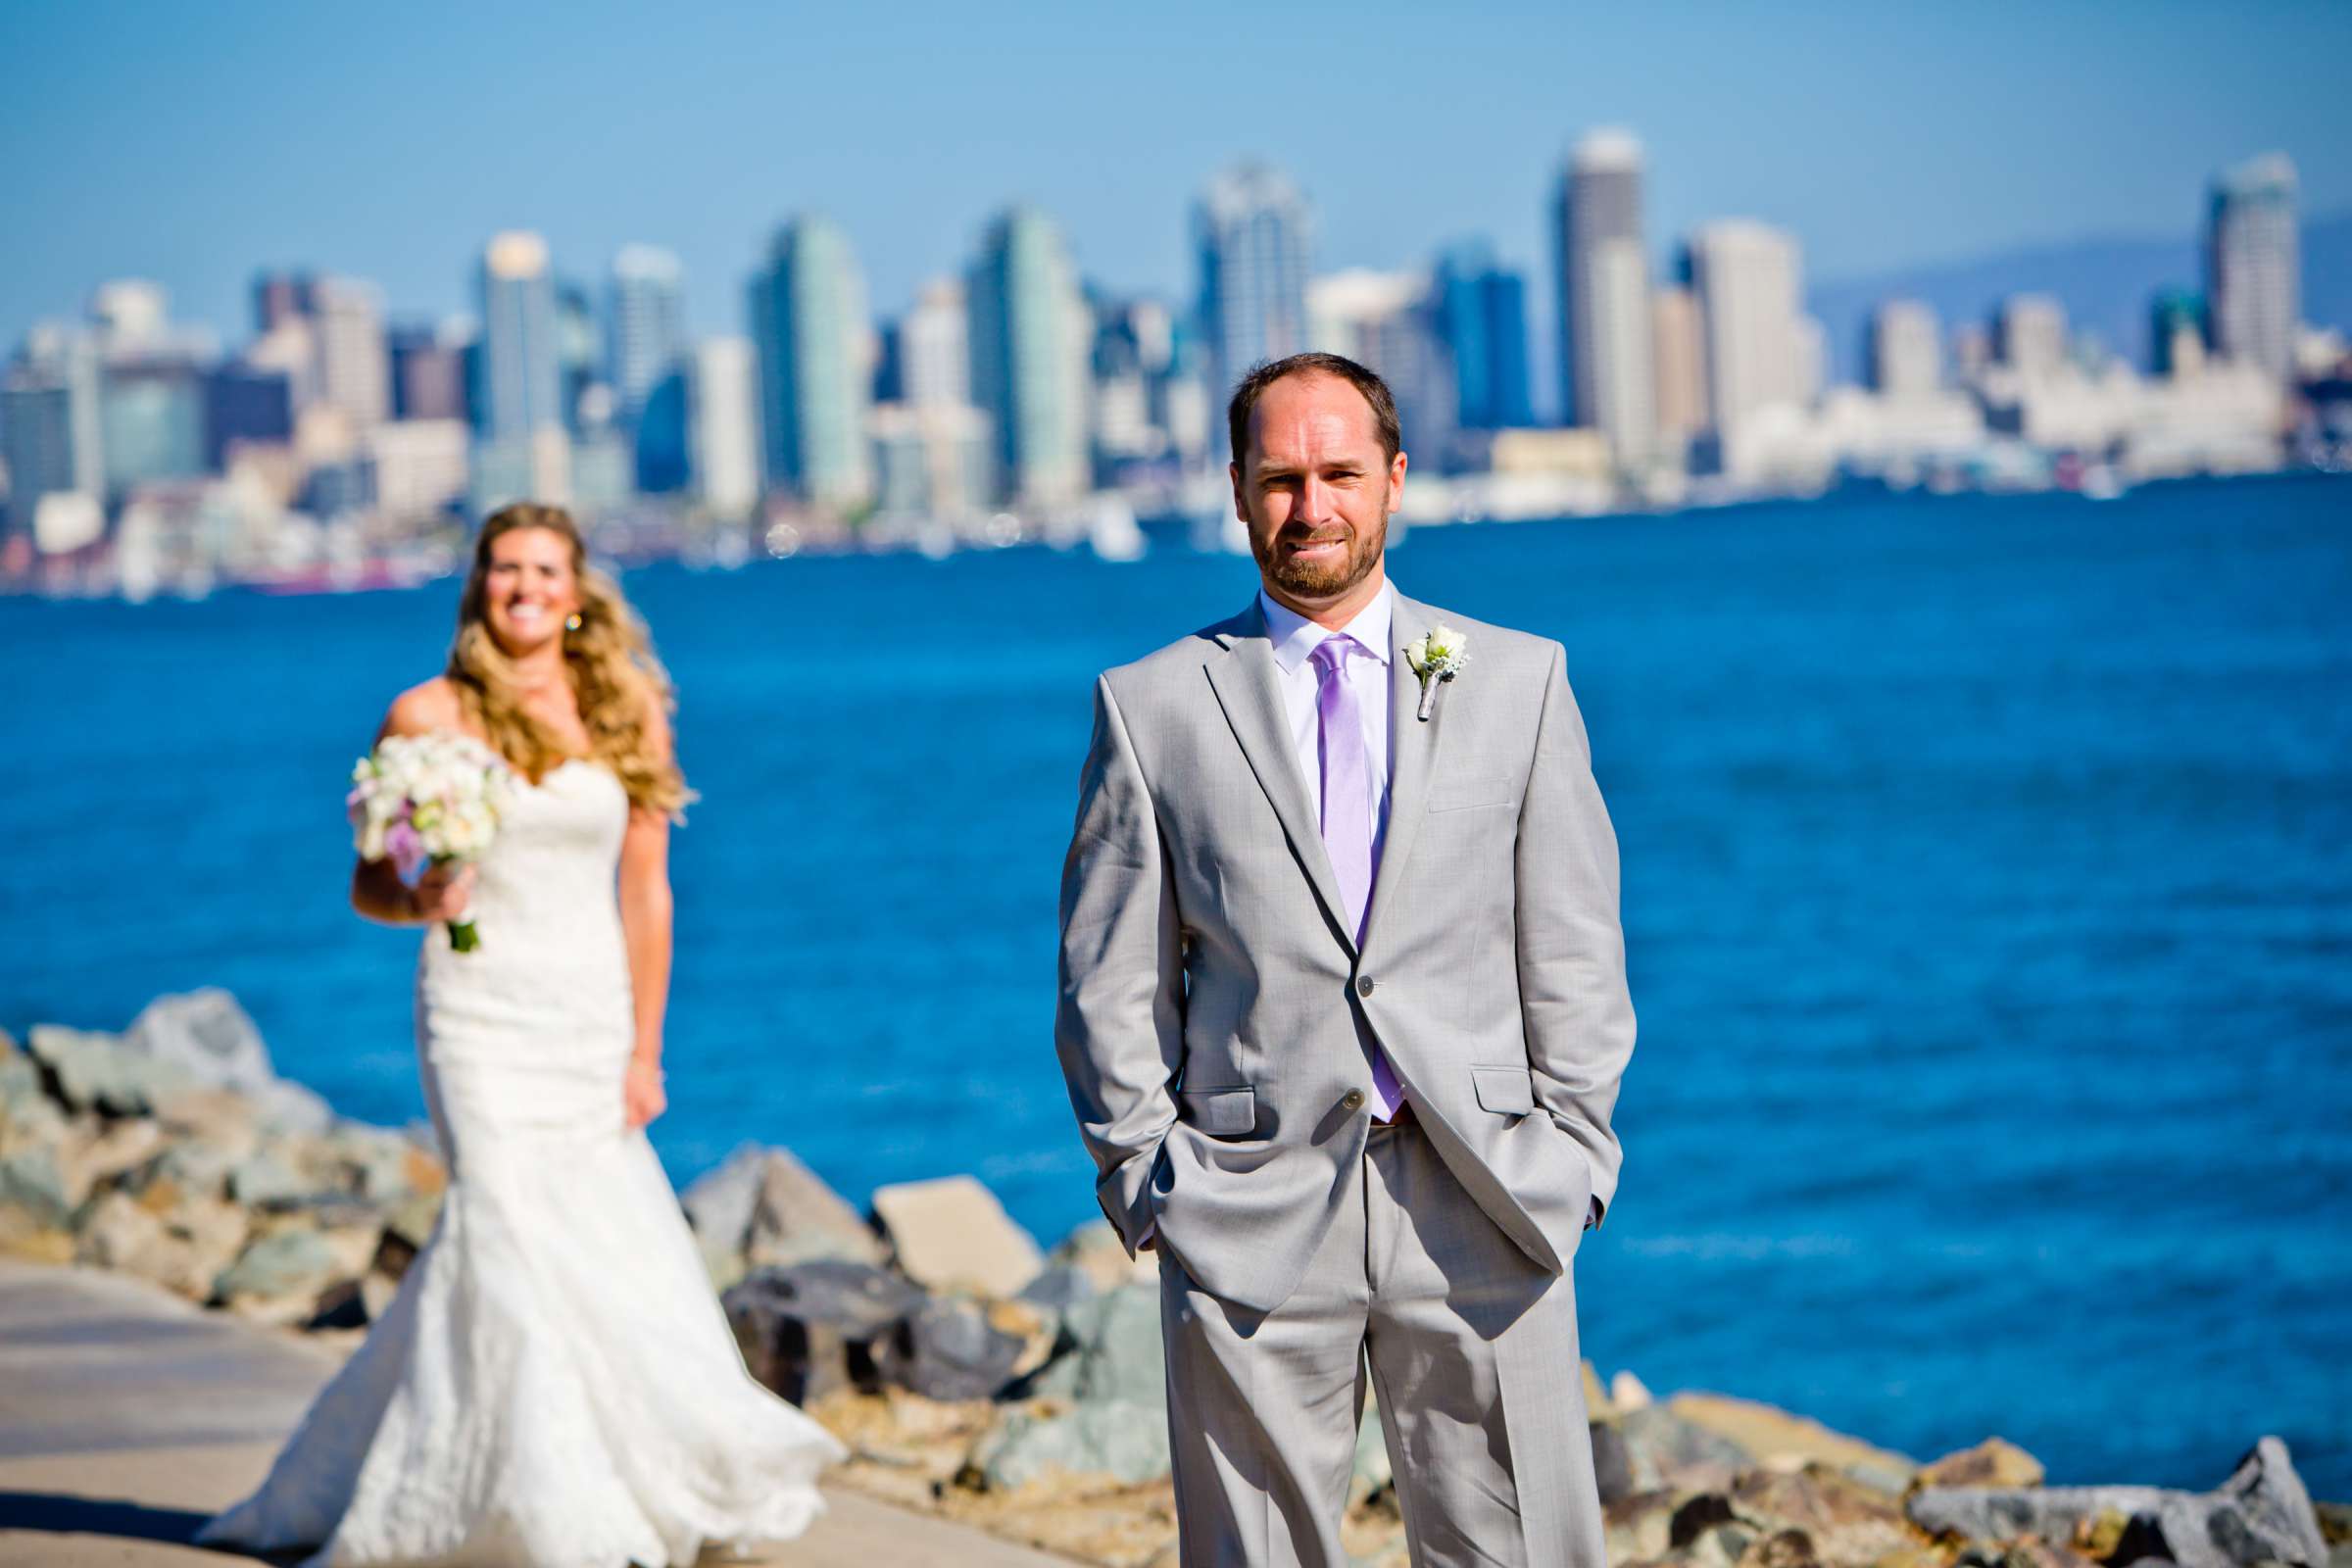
(1344, 1019)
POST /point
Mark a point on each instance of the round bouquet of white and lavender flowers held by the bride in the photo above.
(429, 800)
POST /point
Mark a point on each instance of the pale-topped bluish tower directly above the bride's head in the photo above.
(519, 396)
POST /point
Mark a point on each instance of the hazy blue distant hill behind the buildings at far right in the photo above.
(2104, 283)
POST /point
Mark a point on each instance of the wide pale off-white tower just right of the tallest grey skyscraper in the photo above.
(1749, 290)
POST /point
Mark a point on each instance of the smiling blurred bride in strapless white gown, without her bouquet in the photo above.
(554, 1383)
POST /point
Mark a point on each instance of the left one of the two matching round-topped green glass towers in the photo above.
(815, 373)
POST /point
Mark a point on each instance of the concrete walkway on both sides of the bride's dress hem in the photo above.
(131, 1416)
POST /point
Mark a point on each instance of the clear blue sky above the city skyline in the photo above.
(199, 145)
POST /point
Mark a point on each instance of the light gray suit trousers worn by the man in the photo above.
(1474, 1353)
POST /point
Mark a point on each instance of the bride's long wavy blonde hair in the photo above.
(610, 657)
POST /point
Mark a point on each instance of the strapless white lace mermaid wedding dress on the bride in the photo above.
(554, 1386)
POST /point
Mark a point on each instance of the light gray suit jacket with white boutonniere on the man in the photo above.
(1215, 1005)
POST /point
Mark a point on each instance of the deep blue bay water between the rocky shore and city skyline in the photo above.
(1989, 887)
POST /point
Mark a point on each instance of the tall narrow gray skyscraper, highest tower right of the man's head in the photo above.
(1605, 323)
